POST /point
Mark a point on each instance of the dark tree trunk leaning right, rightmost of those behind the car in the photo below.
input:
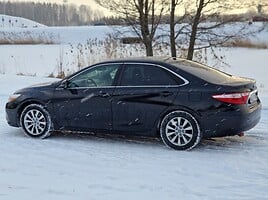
(194, 30)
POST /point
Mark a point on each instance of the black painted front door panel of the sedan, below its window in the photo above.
(73, 108)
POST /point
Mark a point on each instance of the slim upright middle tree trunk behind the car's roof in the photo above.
(172, 29)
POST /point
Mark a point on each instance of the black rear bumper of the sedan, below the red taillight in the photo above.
(233, 121)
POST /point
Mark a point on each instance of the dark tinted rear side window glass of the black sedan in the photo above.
(143, 75)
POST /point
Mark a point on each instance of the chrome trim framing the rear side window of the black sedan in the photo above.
(155, 86)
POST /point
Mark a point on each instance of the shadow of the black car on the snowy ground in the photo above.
(231, 142)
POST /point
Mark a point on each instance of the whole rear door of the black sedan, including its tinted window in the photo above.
(143, 93)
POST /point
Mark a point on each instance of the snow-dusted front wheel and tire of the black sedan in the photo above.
(36, 121)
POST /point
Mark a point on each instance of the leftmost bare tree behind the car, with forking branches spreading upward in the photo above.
(143, 16)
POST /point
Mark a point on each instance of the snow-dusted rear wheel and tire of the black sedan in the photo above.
(179, 130)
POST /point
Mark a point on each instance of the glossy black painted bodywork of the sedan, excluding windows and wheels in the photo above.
(139, 110)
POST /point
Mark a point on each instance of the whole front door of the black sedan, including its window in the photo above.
(86, 102)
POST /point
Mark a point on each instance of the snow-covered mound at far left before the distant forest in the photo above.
(7, 21)
